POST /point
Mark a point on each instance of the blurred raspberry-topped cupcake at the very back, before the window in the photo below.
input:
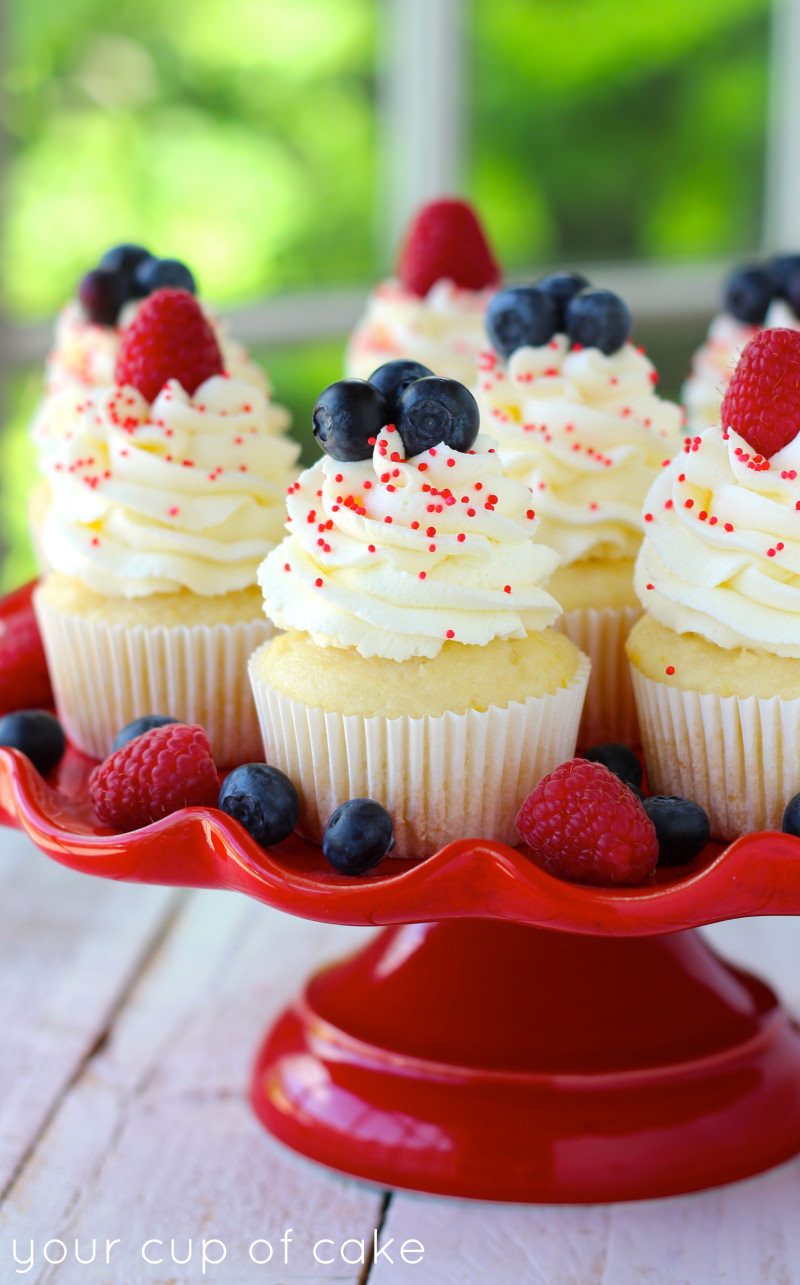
(433, 312)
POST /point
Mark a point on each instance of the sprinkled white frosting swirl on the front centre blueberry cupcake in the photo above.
(396, 557)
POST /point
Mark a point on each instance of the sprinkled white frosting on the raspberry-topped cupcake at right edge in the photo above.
(721, 556)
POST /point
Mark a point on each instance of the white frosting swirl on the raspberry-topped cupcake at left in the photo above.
(183, 494)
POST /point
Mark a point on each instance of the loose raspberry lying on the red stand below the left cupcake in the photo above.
(168, 769)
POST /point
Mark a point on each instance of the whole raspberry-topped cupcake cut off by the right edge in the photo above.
(716, 659)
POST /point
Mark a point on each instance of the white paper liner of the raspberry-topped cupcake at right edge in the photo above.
(739, 758)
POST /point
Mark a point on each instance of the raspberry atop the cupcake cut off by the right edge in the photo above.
(763, 399)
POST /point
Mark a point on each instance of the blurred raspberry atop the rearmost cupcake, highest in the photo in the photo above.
(446, 241)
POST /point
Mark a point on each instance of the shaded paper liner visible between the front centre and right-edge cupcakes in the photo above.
(609, 713)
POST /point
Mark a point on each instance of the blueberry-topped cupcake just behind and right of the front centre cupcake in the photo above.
(573, 408)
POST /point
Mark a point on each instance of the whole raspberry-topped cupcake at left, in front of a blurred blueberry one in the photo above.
(166, 497)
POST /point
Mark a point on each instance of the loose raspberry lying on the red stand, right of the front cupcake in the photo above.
(585, 824)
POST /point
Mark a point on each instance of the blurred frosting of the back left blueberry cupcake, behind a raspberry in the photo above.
(84, 358)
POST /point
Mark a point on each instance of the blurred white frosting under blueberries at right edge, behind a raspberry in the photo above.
(716, 362)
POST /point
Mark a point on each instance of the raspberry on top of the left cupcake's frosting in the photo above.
(169, 339)
